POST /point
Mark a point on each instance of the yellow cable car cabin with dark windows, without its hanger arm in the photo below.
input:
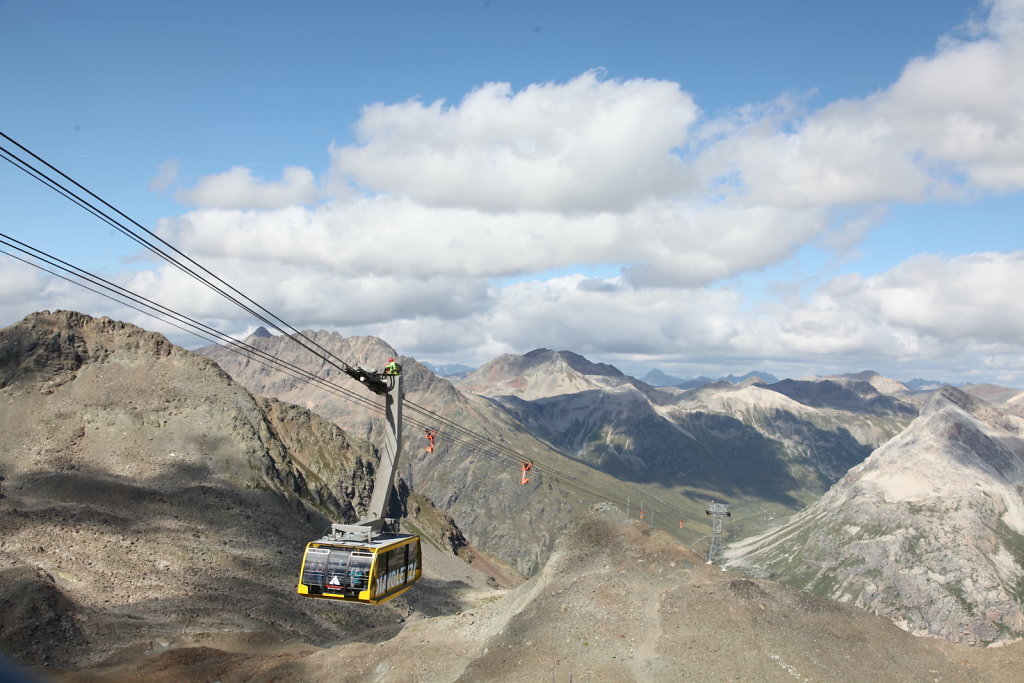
(370, 573)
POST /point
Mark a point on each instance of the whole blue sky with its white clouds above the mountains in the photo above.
(798, 187)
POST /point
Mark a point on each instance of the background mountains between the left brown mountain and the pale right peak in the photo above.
(770, 454)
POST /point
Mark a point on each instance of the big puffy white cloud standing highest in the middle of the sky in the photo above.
(588, 145)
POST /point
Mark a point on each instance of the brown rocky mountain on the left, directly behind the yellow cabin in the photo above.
(146, 493)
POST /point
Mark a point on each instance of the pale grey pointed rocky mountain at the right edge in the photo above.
(929, 531)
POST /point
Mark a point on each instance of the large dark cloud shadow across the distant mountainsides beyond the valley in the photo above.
(626, 439)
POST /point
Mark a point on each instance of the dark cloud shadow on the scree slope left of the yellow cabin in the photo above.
(147, 561)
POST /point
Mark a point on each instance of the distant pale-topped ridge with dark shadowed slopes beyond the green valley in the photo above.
(773, 448)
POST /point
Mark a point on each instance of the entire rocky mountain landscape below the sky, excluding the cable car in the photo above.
(140, 481)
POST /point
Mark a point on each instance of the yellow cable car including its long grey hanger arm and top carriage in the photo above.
(368, 562)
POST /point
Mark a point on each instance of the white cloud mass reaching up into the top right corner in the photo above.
(953, 124)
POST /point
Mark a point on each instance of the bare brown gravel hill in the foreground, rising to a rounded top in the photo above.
(615, 604)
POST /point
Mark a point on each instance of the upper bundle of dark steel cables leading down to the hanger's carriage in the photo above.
(266, 317)
